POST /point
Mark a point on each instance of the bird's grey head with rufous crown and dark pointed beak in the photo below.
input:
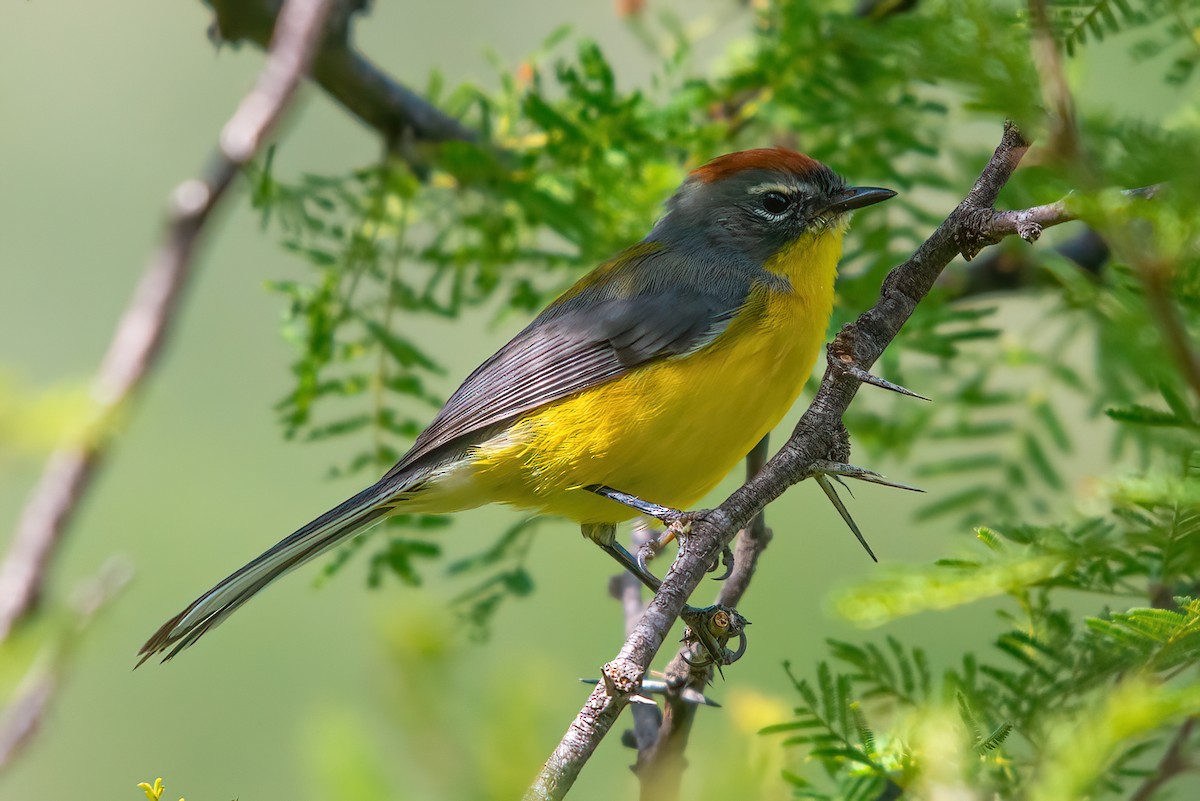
(758, 202)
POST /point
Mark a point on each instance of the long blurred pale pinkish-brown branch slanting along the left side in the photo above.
(143, 328)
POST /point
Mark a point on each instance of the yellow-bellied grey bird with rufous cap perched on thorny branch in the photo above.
(643, 386)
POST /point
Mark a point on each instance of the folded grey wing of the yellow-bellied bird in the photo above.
(596, 333)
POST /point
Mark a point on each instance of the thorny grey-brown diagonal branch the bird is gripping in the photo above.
(820, 433)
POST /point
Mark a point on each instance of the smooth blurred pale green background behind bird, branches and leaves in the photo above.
(105, 109)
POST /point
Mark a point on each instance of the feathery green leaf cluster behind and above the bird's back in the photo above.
(575, 168)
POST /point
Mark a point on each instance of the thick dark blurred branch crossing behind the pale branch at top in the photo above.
(352, 80)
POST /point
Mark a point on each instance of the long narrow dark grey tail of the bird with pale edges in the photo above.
(331, 529)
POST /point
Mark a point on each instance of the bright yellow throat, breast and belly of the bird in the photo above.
(671, 431)
